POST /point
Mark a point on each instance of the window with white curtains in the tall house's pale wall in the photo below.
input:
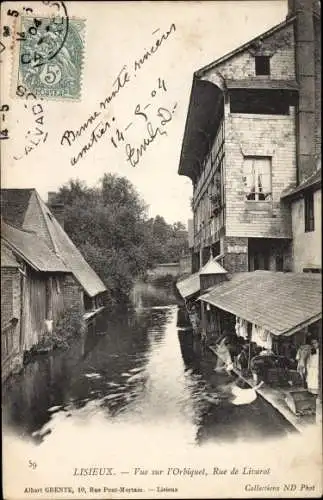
(257, 178)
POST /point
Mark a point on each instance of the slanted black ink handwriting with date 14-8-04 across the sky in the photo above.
(99, 128)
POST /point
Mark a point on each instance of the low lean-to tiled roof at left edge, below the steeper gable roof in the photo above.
(32, 249)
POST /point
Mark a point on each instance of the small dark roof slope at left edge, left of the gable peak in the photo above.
(14, 204)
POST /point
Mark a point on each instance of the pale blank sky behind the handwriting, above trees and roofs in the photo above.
(116, 35)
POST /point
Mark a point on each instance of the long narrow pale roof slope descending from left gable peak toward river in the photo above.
(70, 254)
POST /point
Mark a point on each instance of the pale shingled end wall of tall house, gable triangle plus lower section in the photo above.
(259, 135)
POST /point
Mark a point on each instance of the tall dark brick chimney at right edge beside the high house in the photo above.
(308, 71)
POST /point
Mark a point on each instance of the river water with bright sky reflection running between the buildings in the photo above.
(138, 371)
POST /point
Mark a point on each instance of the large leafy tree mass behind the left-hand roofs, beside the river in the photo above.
(109, 224)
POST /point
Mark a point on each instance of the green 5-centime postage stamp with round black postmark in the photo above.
(50, 57)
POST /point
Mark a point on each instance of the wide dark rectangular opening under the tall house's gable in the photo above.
(262, 101)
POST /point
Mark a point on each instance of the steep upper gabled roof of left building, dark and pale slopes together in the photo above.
(14, 207)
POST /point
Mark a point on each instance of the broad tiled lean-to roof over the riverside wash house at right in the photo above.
(279, 302)
